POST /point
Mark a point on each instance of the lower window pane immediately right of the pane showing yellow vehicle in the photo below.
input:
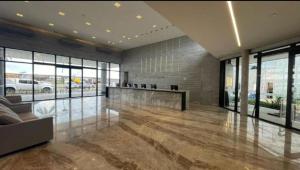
(89, 82)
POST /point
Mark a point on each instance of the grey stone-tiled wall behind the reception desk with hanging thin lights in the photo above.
(178, 61)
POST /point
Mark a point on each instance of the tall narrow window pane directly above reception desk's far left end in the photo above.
(103, 77)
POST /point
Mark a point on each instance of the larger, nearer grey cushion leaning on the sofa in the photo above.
(7, 116)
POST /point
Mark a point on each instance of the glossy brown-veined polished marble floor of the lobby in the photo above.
(96, 133)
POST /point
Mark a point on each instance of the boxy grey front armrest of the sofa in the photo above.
(25, 134)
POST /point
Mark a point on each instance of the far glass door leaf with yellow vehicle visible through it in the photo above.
(76, 82)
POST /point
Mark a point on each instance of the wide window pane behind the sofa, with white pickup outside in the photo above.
(18, 73)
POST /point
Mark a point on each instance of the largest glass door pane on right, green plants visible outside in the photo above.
(273, 88)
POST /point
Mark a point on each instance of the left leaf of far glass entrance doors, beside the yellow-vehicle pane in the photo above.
(62, 82)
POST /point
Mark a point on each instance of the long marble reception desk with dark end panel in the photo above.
(178, 100)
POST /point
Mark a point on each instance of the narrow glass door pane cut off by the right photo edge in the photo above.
(296, 94)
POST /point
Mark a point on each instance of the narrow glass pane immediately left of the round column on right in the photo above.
(230, 78)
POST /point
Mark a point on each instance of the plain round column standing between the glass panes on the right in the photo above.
(244, 85)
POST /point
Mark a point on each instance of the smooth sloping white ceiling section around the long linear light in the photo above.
(259, 23)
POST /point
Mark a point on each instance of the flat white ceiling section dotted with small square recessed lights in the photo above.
(101, 14)
